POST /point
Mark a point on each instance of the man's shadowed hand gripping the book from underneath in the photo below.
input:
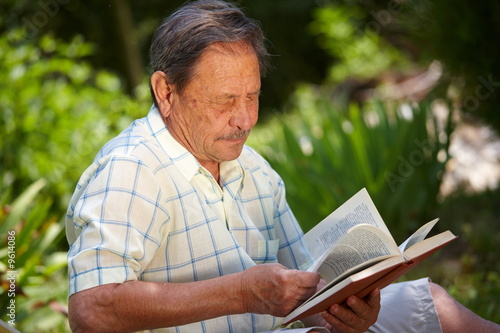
(357, 315)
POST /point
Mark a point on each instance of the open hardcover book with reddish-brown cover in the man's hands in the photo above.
(355, 253)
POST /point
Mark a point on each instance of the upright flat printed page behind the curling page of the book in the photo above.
(359, 209)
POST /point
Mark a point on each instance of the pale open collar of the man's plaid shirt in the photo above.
(187, 164)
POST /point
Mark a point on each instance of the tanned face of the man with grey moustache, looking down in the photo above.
(213, 116)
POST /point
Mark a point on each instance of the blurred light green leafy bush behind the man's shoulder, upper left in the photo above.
(55, 112)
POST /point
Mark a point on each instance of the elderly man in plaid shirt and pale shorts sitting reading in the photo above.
(177, 226)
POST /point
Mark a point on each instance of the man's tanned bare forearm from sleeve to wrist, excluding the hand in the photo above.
(139, 305)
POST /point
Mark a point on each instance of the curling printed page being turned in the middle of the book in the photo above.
(360, 244)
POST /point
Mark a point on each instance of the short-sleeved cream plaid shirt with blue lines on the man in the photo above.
(147, 210)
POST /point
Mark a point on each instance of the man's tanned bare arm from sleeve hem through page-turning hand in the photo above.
(138, 305)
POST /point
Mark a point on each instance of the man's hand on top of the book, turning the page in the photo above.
(274, 289)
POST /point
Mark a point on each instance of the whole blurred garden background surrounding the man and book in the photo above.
(401, 97)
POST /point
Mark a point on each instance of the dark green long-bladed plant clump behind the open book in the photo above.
(325, 156)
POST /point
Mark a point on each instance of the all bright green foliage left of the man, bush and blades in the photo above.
(56, 112)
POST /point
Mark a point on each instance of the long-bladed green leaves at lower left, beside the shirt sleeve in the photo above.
(32, 270)
